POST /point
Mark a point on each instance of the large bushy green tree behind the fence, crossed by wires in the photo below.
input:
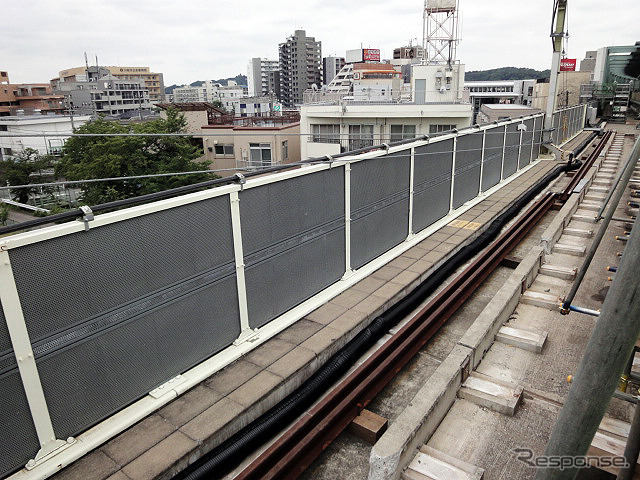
(124, 156)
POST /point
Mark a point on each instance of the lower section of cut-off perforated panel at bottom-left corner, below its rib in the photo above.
(18, 439)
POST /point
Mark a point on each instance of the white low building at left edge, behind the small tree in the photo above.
(55, 130)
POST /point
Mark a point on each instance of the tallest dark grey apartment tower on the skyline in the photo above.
(300, 67)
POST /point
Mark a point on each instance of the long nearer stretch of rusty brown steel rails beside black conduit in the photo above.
(292, 453)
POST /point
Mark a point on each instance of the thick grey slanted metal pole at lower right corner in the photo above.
(598, 374)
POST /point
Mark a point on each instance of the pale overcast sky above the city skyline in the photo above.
(209, 39)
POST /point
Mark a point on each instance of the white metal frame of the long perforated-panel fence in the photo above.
(67, 451)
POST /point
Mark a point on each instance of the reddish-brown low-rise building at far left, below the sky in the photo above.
(28, 98)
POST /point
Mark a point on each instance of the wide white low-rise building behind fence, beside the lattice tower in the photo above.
(372, 105)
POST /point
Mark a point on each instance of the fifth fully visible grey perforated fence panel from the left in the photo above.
(467, 176)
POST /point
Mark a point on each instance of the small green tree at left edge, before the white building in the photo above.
(18, 170)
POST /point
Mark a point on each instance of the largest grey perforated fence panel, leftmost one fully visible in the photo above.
(123, 308)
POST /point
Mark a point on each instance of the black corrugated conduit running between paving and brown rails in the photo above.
(231, 452)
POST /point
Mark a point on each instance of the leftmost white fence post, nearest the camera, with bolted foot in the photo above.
(27, 367)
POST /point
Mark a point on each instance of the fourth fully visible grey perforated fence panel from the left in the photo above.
(432, 183)
